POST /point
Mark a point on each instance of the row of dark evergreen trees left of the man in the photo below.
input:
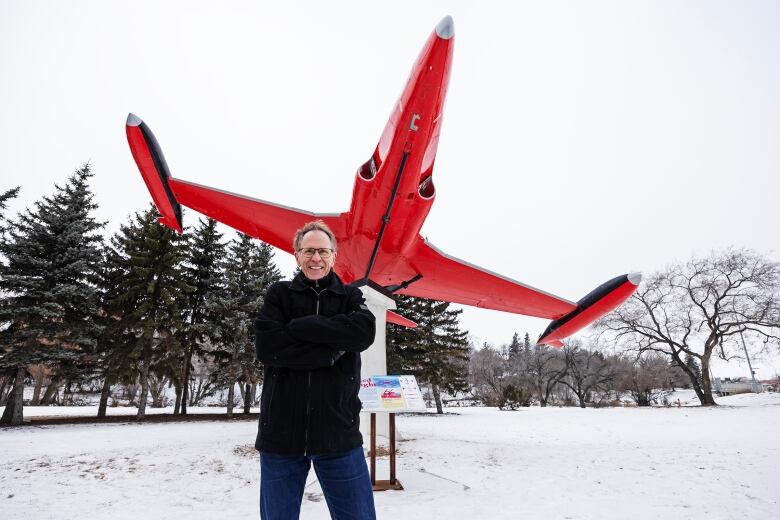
(142, 309)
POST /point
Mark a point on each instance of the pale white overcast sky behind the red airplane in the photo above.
(582, 140)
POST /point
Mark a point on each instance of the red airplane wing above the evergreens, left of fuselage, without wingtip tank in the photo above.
(272, 223)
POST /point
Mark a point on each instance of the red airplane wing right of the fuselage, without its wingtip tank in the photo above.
(447, 278)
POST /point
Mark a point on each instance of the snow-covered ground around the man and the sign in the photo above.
(472, 463)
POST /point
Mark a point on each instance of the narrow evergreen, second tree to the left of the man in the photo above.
(205, 256)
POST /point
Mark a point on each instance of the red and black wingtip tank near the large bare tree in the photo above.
(603, 299)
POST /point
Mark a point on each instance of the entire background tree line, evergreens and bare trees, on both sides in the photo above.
(147, 309)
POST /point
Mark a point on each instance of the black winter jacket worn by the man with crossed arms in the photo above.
(309, 335)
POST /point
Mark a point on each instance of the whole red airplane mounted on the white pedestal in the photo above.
(379, 236)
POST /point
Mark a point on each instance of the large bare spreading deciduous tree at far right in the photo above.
(699, 308)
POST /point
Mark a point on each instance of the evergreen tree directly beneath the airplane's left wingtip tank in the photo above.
(151, 295)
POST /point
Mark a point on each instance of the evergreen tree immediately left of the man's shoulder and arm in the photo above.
(248, 272)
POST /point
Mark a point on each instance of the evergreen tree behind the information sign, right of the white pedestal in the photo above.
(436, 351)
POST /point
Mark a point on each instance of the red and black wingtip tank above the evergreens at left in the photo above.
(151, 162)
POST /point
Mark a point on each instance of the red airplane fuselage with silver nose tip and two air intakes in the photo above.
(394, 189)
